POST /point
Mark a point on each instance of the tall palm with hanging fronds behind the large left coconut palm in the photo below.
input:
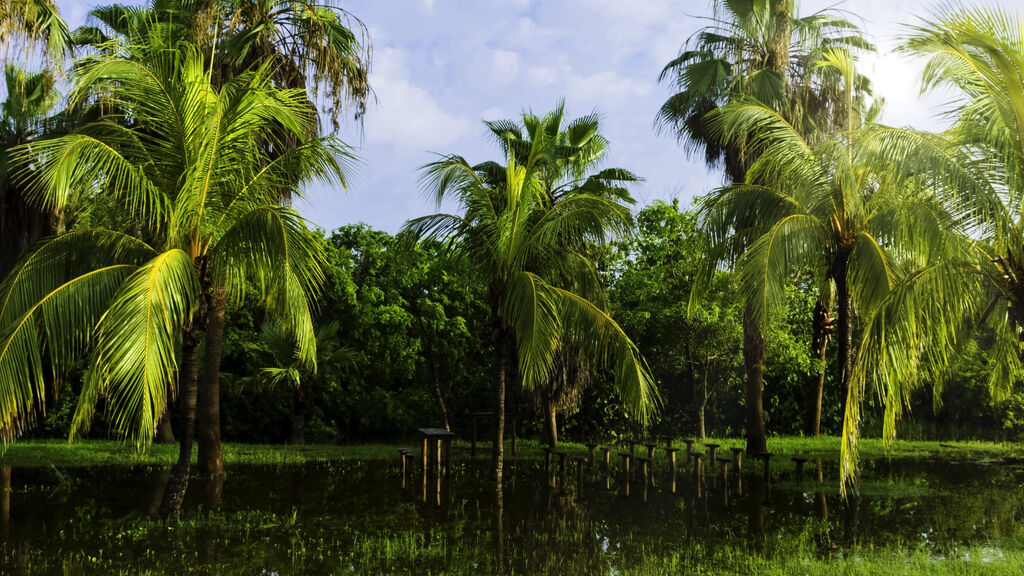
(309, 47)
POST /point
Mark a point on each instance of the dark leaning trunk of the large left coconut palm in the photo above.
(188, 385)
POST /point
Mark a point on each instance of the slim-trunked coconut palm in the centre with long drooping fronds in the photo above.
(542, 284)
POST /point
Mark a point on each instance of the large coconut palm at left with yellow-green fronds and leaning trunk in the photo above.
(186, 167)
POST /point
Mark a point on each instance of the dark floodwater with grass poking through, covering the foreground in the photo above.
(365, 518)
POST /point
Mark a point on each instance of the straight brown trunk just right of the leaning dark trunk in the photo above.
(211, 462)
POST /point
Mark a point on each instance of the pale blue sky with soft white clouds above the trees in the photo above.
(441, 67)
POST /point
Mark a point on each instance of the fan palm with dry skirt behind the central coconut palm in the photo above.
(577, 150)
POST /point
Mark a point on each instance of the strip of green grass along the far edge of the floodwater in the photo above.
(99, 454)
